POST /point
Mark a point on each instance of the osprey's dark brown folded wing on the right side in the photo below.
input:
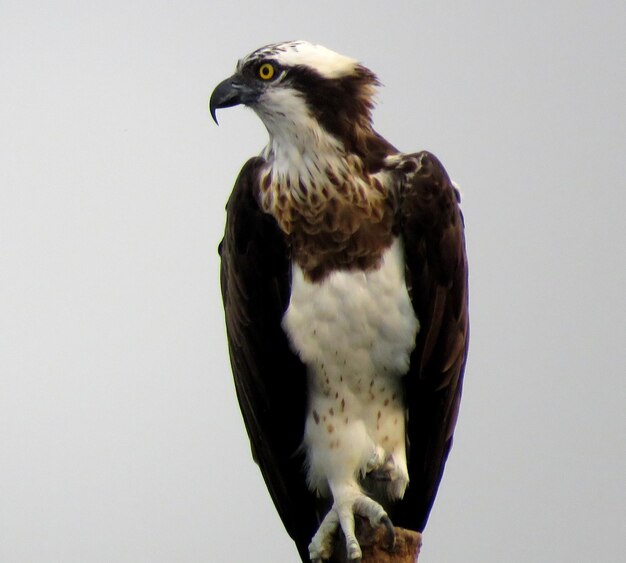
(431, 225)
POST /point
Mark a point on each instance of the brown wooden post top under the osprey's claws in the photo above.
(373, 542)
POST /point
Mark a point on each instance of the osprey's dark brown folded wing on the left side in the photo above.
(270, 380)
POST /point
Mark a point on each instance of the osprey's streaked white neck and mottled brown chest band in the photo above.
(326, 202)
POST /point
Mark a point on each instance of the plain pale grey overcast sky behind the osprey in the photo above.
(120, 436)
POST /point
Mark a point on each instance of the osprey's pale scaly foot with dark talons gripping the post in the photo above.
(348, 501)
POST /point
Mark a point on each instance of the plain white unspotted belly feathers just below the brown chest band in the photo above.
(356, 321)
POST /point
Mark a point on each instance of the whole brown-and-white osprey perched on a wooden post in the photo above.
(344, 280)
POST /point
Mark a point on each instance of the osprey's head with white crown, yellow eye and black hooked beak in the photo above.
(298, 87)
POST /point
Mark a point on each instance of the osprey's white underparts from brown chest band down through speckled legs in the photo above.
(355, 331)
